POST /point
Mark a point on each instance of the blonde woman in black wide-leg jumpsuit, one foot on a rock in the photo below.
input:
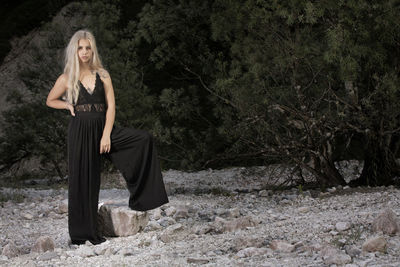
(91, 135)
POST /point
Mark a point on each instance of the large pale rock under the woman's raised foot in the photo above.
(120, 220)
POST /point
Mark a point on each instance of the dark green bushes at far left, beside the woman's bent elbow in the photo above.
(30, 129)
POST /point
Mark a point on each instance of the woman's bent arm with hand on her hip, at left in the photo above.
(59, 88)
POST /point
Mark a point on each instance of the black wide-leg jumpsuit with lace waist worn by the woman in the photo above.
(133, 153)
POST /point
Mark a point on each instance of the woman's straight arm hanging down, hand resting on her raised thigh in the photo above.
(105, 143)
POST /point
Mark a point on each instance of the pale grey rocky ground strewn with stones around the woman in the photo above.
(215, 218)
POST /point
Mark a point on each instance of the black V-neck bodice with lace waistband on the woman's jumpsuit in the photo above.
(91, 101)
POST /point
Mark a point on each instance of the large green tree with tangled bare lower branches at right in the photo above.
(305, 76)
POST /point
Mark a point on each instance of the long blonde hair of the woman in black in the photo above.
(71, 68)
